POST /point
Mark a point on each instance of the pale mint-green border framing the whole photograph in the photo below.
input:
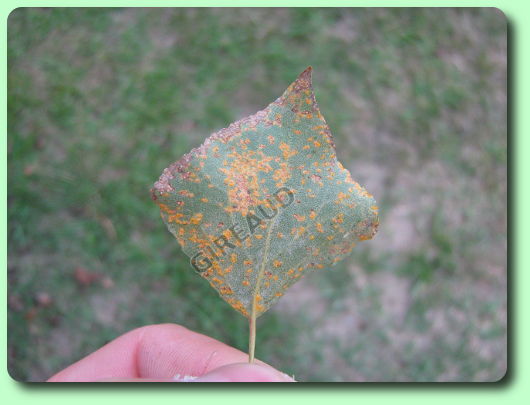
(511, 388)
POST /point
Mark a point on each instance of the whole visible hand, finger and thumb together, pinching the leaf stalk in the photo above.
(168, 353)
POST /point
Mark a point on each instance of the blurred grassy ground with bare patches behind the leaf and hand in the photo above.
(100, 101)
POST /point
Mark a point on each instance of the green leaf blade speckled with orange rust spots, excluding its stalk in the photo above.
(265, 201)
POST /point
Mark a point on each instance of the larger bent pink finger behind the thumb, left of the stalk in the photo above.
(153, 352)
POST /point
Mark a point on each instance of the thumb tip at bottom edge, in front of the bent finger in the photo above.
(244, 372)
